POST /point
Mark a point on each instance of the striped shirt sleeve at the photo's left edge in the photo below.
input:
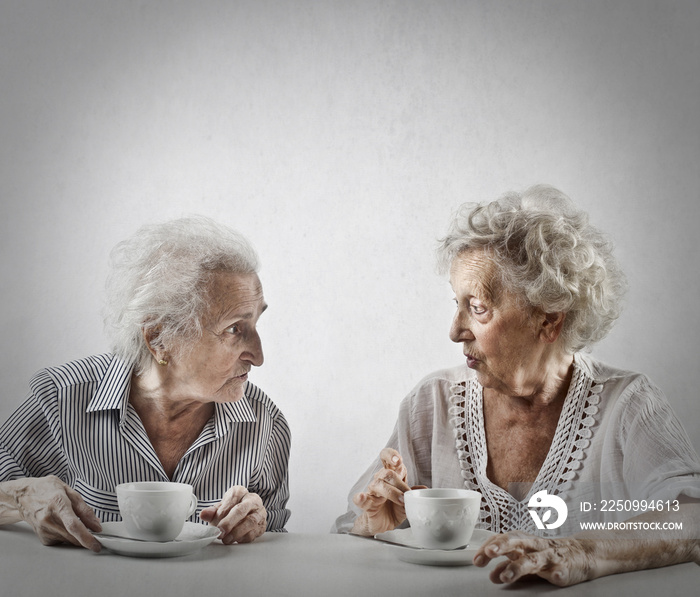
(30, 443)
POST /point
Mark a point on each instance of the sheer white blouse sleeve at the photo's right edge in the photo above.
(659, 460)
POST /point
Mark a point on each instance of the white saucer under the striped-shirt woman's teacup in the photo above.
(192, 538)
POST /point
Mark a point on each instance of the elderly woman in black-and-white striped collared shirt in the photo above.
(171, 403)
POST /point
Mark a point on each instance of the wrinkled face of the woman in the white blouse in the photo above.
(500, 339)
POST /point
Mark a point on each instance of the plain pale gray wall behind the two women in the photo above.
(339, 136)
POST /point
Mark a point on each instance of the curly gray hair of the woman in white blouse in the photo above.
(549, 255)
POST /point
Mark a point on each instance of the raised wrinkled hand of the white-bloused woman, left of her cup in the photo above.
(382, 501)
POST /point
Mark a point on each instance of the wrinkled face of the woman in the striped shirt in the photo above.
(216, 368)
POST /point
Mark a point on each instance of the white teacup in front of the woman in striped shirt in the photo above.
(155, 510)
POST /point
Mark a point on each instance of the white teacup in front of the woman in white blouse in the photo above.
(442, 518)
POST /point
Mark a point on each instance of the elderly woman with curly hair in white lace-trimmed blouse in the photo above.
(535, 284)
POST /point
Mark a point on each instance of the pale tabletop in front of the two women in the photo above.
(281, 564)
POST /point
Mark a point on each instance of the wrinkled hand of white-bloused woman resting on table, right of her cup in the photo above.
(562, 562)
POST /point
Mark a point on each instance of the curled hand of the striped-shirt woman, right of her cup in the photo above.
(240, 516)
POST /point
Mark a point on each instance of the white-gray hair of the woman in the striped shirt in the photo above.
(159, 280)
